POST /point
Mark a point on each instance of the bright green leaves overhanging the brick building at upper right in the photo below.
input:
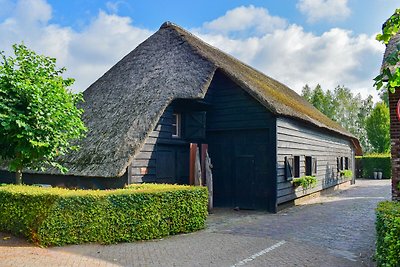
(390, 79)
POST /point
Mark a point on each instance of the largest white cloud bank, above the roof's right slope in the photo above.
(296, 57)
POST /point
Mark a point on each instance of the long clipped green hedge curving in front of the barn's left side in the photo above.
(55, 216)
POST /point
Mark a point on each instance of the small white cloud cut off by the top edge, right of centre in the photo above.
(315, 10)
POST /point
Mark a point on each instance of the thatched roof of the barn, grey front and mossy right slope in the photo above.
(123, 106)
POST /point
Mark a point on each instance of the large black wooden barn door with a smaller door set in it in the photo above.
(242, 168)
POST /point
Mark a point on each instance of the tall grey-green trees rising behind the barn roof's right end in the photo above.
(342, 106)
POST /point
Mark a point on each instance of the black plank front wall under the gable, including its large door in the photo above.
(241, 133)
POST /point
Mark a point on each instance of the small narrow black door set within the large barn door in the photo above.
(245, 182)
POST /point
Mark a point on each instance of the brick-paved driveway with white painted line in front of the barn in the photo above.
(334, 230)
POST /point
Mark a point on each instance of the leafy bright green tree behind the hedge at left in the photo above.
(38, 114)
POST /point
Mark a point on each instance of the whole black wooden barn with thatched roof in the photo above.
(173, 91)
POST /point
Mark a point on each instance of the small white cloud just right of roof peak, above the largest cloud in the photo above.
(249, 19)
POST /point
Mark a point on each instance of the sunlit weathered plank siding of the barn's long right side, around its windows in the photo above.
(297, 139)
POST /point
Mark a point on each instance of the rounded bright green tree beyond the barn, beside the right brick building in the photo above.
(378, 128)
